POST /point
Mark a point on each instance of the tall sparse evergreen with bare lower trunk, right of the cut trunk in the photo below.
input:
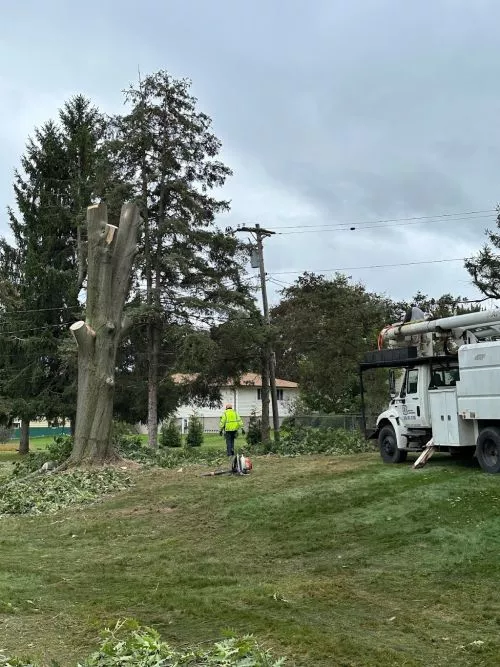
(187, 266)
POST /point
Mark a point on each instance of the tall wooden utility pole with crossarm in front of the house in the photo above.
(269, 361)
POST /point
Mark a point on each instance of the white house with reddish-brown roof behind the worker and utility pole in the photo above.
(245, 397)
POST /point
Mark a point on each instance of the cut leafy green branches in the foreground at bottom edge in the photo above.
(129, 644)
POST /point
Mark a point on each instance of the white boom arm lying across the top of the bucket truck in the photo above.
(486, 319)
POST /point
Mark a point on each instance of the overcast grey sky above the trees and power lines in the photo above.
(330, 111)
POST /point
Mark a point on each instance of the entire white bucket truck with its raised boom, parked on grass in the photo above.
(449, 397)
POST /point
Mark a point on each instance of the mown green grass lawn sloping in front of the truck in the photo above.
(341, 561)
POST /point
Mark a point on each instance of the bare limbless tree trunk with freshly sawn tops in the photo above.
(111, 252)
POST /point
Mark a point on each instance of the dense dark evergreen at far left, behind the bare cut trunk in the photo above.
(58, 179)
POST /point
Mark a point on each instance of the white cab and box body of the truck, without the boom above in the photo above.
(449, 402)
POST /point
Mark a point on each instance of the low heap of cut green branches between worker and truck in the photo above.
(298, 440)
